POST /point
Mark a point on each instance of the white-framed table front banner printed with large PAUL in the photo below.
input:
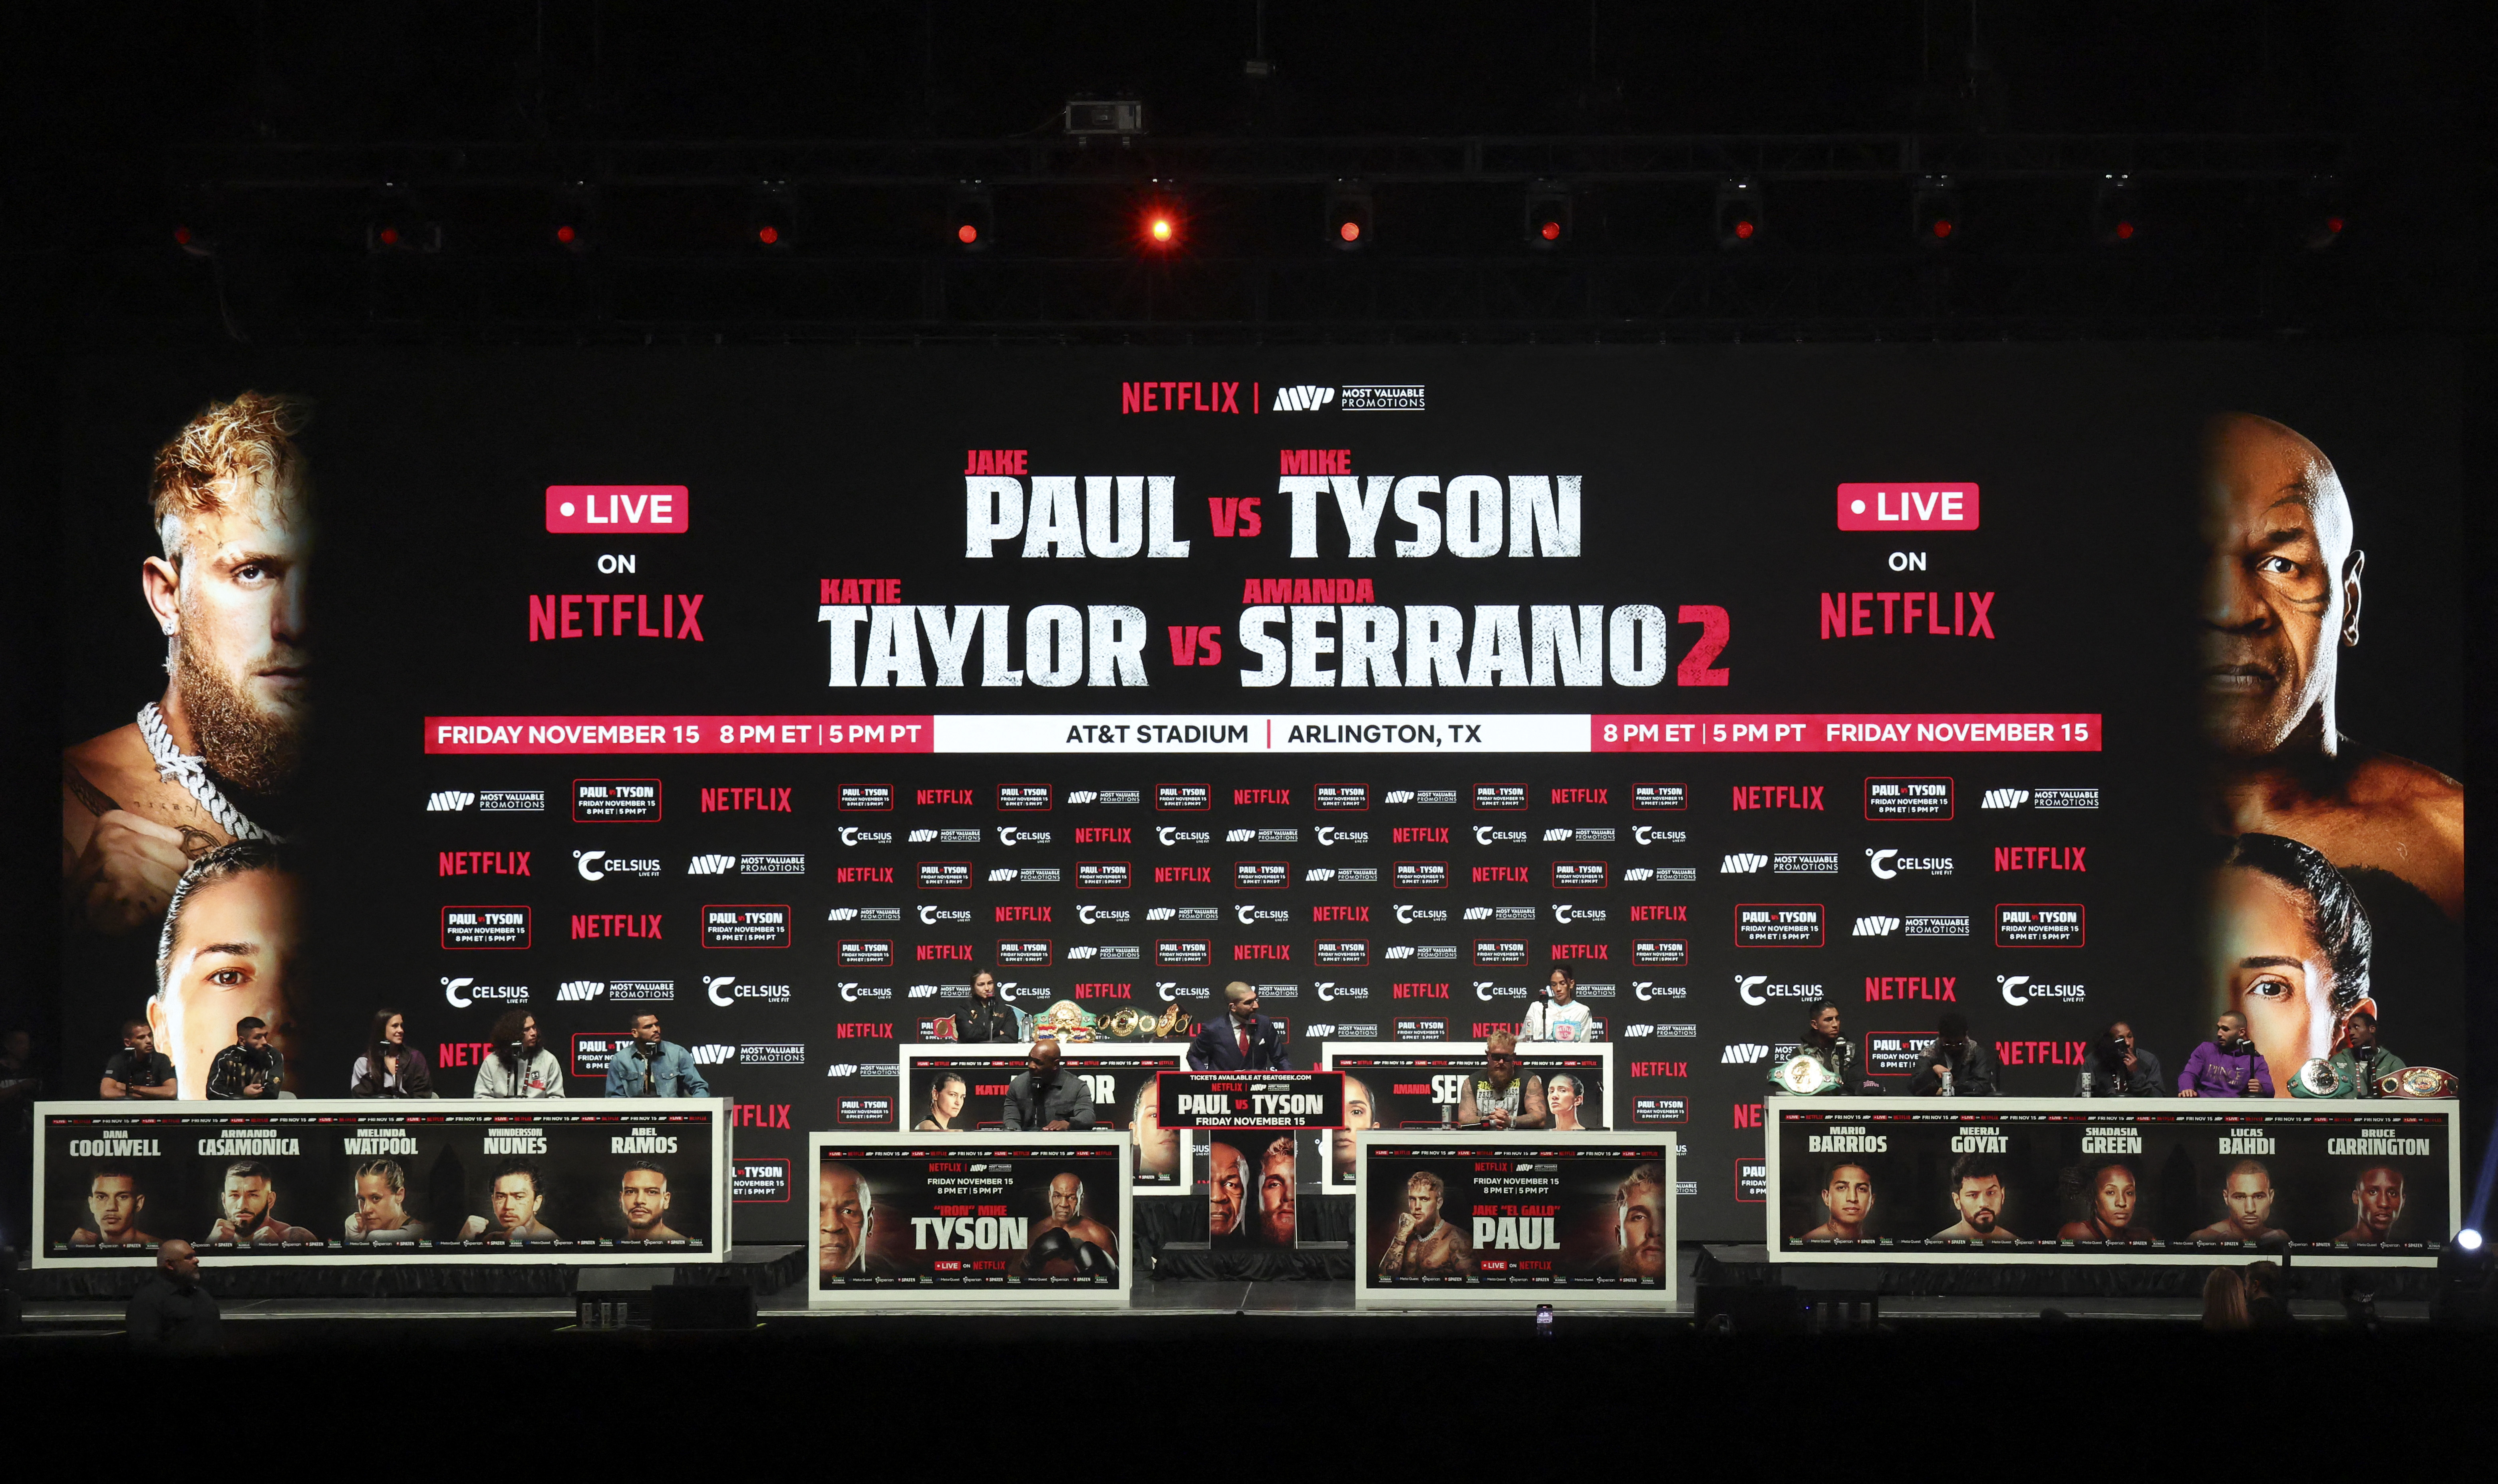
(1463, 1218)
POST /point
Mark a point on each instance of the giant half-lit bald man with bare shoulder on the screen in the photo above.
(2282, 601)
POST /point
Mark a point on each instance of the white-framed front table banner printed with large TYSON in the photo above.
(968, 1218)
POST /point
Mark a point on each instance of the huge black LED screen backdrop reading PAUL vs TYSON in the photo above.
(781, 693)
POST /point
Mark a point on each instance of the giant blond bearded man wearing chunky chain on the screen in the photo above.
(211, 758)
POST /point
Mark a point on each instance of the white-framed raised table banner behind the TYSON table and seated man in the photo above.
(965, 1088)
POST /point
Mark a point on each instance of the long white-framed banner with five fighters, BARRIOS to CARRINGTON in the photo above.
(2112, 1180)
